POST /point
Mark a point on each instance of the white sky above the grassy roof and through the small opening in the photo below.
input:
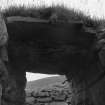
(94, 8)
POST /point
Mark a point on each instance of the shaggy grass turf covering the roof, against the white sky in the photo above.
(62, 13)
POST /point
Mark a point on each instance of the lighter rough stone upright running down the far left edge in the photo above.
(3, 58)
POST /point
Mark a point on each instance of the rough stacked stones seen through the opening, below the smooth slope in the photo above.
(53, 95)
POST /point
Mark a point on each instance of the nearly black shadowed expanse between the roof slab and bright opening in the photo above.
(51, 47)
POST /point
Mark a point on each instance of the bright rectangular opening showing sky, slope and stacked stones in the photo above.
(49, 89)
